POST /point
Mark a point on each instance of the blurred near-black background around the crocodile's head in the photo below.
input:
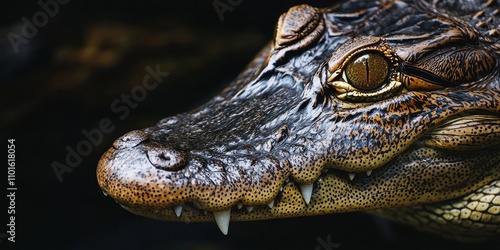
(64, 80)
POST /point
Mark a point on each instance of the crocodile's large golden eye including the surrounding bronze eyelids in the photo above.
(363, 70)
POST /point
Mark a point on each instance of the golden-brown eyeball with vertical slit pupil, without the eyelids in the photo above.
(367, 71)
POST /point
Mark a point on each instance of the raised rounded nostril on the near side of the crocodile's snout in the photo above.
(166, 158)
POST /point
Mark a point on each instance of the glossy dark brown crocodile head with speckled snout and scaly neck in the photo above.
(385, 107)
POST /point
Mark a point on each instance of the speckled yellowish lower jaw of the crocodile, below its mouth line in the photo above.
(332, 194)
